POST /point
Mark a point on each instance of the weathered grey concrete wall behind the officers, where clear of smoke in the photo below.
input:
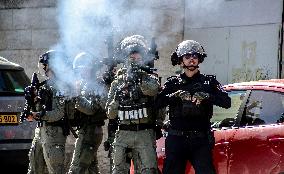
(240, 36)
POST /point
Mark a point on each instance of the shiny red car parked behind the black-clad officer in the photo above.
(250, 135)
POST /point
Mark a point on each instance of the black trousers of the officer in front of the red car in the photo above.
(195, 148)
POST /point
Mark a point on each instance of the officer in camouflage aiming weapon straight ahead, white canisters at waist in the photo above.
(130, 100)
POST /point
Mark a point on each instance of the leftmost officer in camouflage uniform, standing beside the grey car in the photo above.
(48, 146)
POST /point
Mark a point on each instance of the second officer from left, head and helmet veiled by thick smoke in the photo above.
(90, 110)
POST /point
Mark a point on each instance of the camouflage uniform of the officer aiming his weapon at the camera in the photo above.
(135, 133)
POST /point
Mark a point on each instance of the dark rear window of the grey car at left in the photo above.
(13, 81)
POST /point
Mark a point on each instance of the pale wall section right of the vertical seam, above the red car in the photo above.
(240, 37)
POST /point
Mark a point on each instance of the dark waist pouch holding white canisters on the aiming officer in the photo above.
(133, 112)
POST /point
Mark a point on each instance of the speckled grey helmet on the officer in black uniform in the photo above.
(187, 47)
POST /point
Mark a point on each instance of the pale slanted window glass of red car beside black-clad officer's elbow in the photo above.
(221, 114)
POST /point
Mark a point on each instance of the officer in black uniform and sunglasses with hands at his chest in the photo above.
(190, 97)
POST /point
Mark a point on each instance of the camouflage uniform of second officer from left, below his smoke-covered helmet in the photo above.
(90, 107)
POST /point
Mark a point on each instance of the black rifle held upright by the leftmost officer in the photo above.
(30, 97)
